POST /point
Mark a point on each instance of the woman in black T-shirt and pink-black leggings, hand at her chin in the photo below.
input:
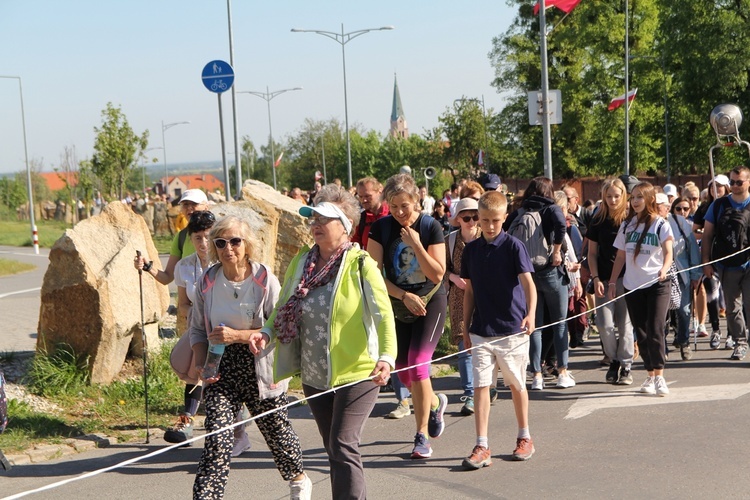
(422, 306)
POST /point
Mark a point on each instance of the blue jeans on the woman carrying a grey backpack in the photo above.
(552, 294)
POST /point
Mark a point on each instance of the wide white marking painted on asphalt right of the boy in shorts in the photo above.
(586, 405)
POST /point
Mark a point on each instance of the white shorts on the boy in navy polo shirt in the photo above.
(510, 354)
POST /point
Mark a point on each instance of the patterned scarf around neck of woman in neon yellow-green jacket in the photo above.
(288, 315)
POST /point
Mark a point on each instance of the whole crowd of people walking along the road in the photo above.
(519, 281)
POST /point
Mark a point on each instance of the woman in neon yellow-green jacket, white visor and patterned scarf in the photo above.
(334, 327)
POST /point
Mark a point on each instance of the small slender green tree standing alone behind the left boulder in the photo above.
(116, 149)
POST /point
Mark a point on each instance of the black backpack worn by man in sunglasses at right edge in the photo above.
(731, 233)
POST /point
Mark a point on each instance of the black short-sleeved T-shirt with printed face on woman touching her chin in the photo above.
(399, 260)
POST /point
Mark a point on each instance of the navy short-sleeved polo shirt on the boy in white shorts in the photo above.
(493, 268)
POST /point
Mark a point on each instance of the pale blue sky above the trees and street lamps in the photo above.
(75, 56)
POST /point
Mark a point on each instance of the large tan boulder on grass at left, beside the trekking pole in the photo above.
(91, 296)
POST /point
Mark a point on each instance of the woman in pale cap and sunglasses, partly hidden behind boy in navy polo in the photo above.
(467, 220)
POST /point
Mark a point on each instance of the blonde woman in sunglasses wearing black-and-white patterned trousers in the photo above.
(233, 299)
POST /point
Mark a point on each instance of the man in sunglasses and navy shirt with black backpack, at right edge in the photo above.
(726, 218)
